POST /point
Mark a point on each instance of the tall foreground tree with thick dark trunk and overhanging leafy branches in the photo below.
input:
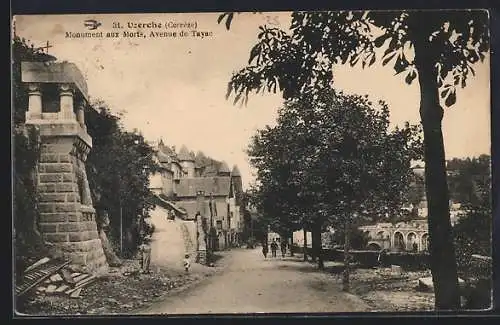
(445, 44)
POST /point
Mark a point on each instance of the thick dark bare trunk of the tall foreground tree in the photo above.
(442, 251)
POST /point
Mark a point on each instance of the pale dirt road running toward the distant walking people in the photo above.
(251, 284)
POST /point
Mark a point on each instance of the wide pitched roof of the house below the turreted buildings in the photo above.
(218, 186)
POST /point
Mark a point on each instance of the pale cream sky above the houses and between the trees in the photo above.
(174, 88)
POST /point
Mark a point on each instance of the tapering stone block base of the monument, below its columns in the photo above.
(67, 218)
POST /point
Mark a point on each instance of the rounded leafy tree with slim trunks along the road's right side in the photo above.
(332, 161)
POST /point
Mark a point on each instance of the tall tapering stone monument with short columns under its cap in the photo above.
(57, 98)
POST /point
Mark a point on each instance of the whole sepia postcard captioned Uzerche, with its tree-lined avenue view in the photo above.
(251, 162)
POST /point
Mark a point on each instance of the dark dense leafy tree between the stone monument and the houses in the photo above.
(118, 169)
